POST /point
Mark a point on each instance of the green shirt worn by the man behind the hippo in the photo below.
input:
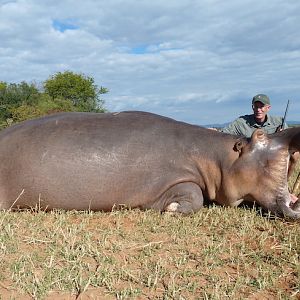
(245, 125)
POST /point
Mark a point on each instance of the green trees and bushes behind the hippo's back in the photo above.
(65, 91)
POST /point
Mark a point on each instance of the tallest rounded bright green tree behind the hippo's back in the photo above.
(78, 89)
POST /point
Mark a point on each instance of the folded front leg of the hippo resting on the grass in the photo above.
(183, 198)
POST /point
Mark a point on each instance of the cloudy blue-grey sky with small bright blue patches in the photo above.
(199, 62)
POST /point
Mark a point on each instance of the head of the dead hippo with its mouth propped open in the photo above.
(261, 171)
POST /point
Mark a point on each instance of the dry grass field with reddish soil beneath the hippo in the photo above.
(217, 253)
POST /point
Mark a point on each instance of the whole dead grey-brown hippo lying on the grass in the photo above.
(100, 161)
